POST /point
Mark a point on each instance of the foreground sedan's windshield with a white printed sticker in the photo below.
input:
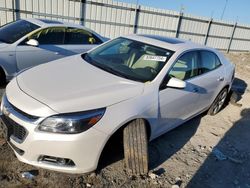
(129, 59)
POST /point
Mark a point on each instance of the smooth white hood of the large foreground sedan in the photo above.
(71, 85)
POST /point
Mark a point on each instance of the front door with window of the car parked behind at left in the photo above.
(51, 47)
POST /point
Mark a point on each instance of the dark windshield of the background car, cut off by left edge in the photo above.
(12, 32)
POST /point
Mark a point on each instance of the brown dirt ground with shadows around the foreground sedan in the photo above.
(204, 152)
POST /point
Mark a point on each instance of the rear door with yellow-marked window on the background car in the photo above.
(80, 40)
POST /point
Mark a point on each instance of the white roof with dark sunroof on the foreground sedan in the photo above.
(169, 43)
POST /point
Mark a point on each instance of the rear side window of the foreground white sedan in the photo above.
(209, 61)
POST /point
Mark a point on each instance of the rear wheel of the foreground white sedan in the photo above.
(218, 102)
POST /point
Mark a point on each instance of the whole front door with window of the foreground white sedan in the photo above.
(177, 105)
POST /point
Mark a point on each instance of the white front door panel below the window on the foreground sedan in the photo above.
(177, 105)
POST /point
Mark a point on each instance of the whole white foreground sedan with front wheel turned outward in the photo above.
(60, 115)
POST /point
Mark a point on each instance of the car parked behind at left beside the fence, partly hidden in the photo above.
(29, 42)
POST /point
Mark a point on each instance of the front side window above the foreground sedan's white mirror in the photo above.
(186, 66)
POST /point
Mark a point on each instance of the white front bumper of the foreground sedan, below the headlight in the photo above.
(83, 149)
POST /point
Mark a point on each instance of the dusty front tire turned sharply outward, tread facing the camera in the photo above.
(135, 144)
